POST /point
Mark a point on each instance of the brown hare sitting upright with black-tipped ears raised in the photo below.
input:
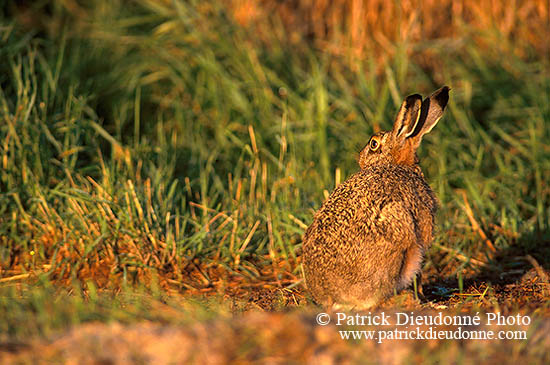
(369, 237)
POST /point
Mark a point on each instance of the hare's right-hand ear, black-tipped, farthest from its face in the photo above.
(431, 111)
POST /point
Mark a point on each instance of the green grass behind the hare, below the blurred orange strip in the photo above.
(157, 142)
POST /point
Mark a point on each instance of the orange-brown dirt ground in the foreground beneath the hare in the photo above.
(271, 324)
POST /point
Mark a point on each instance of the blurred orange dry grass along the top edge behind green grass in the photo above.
(361, 29)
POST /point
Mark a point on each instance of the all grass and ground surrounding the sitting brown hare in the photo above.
(160, 160)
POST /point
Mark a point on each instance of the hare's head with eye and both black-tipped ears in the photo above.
(414, 119)
